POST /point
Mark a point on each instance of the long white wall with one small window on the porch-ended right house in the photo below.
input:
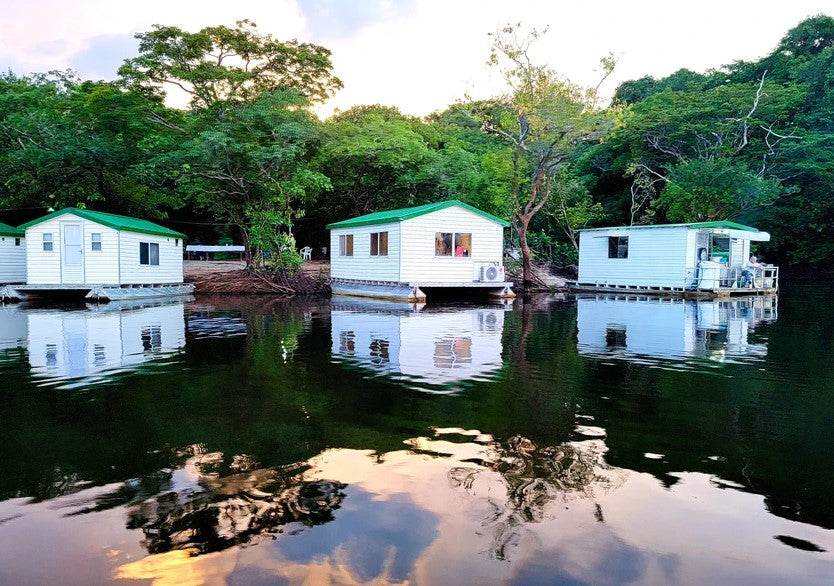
(657, 257)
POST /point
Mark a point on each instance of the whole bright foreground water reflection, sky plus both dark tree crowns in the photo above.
(453, 506)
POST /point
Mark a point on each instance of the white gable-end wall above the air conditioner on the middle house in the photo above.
(418, 262)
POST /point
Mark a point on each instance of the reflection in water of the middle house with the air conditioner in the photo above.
(422, 346)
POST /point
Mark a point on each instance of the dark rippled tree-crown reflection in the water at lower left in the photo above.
(218, 512)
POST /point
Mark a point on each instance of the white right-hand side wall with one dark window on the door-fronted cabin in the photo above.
(170, 260)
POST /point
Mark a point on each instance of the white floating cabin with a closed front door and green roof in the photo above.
(104, 256)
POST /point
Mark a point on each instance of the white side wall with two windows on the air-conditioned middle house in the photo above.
(362, 265)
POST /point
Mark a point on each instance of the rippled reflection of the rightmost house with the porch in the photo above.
(629, 326)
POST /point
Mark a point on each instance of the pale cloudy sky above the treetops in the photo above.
(417, 55)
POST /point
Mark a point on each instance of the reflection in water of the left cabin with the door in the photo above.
(86, 344)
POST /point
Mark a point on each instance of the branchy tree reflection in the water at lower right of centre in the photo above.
(535, 477)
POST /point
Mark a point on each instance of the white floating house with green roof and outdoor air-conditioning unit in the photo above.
(406, 253)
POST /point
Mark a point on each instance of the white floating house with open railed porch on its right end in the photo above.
(701, 258)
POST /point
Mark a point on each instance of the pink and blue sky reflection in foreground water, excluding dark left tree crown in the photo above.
(426, 519)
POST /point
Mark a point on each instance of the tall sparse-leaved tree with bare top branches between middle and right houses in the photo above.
(543, 118)
